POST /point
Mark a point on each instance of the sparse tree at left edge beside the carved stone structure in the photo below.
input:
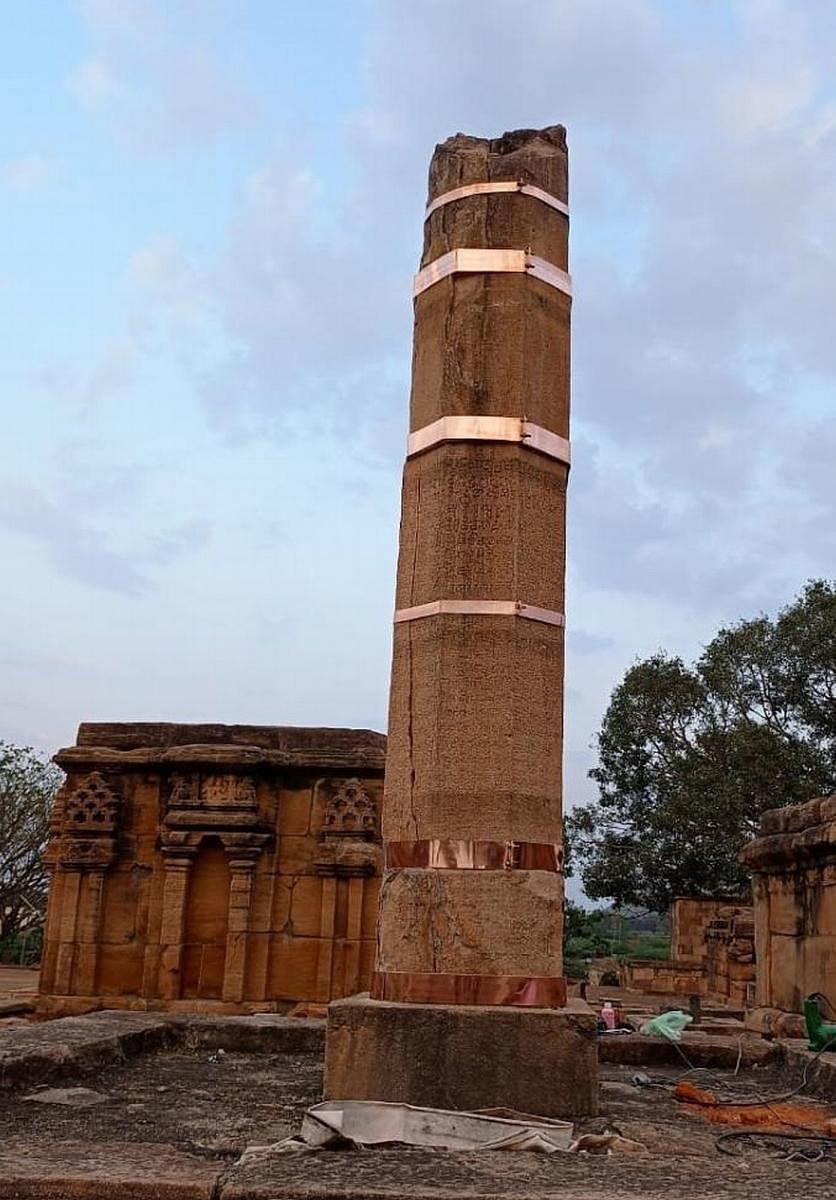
(28, 787)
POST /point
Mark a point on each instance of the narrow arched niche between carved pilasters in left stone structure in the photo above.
(207, 922)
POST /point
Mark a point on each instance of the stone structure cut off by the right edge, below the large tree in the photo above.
(793, 863)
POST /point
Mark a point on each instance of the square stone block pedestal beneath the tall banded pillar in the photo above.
(444, 1057)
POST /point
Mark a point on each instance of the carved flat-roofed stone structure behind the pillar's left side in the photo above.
(213, 868)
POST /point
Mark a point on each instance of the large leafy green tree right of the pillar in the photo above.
(689, 758)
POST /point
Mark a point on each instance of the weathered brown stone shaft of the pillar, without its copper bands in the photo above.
(476, 729)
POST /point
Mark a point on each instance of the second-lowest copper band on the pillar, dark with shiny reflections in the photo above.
(450, 854)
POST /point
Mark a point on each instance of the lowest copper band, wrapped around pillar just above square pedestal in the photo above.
(418, 988)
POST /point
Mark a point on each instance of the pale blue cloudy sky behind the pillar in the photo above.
(210, 214)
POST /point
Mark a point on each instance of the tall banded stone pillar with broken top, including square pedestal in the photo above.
(470, 934)
